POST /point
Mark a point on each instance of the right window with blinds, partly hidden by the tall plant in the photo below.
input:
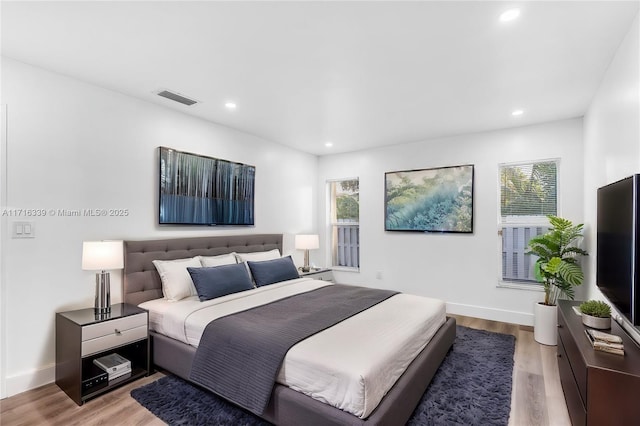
(528, 193)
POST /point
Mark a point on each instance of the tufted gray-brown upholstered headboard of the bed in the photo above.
(141, 280)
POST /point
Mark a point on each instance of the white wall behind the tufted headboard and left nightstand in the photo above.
(72, 145)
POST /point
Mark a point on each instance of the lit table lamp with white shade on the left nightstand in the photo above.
(102, 256)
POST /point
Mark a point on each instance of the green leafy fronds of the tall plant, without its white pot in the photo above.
(557, 267)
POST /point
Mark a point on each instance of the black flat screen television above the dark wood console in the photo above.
(618, 246)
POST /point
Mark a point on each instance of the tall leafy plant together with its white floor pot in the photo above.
(558, 270)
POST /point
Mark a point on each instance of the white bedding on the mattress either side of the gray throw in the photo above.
(351, 365)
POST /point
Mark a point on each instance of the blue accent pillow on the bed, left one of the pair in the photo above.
(218, 281)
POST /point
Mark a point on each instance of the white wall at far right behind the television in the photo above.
(612, 135)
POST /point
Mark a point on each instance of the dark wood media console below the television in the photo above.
(600, 388)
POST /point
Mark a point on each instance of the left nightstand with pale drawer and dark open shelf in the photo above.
(82, 336)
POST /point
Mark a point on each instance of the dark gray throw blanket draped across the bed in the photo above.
(239, 355)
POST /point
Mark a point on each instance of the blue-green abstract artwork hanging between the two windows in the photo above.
(430, 200)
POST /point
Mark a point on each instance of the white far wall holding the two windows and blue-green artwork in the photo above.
(462, 269)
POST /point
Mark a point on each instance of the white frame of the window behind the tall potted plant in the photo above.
(522, 221)
